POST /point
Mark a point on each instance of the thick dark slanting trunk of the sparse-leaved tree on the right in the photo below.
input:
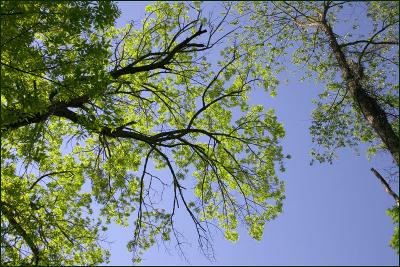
(373, 113)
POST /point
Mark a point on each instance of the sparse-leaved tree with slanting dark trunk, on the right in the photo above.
(359, 67)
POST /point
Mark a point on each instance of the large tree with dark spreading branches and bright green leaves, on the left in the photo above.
(86, 108)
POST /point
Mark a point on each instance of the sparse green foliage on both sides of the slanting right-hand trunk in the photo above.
(292, 27)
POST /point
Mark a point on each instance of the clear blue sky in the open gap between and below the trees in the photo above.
(333, 214)
